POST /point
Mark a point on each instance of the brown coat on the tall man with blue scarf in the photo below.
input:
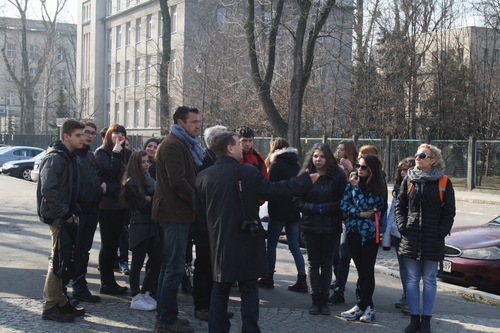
(175, 177)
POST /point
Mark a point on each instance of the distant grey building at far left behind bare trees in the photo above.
(56, 64)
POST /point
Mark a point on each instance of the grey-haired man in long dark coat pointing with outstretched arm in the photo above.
(226, 195)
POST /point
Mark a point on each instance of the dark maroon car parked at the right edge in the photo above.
(472, 256)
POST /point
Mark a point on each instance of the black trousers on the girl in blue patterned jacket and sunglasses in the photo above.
(364, 256)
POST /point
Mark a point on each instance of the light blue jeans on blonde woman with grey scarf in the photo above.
(427, 271)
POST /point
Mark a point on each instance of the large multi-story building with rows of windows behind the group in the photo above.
(120, 45)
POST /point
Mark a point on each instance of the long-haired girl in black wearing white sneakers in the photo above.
(137, 194)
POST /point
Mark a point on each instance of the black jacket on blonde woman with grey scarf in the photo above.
(422, 221)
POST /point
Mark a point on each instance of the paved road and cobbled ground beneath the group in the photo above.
(25, 248)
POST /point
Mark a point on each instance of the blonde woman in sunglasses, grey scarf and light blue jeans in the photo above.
(424, 220)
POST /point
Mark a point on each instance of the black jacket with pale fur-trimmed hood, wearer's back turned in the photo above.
(283, 166)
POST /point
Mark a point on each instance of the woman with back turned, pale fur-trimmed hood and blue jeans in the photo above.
(283, 165)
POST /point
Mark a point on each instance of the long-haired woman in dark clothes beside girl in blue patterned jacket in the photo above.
(321, 222)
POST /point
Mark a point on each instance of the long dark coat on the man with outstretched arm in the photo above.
(237, 255)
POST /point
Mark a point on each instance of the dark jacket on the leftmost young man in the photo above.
(55, 186)
